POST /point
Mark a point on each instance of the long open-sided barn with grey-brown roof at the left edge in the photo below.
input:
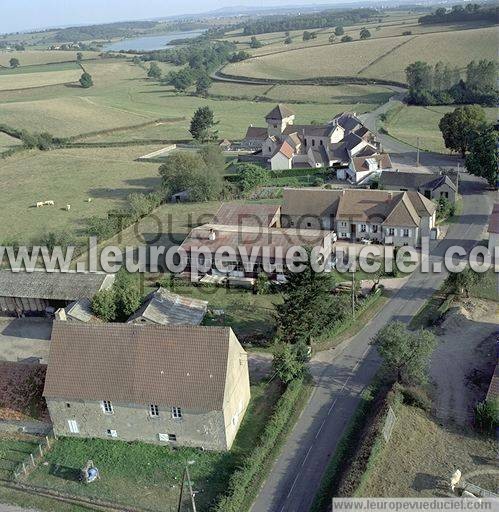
(31, 293)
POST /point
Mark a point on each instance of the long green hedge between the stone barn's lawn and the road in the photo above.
(245, 482)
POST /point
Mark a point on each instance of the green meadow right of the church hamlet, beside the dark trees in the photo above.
(412, 122)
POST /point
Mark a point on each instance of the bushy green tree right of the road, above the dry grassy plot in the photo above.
(406, 354)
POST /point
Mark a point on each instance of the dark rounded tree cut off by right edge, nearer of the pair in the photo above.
(482, 157)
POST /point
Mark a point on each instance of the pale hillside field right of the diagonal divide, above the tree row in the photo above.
(456, 47)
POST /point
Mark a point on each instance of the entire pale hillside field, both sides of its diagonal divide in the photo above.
(380, 57)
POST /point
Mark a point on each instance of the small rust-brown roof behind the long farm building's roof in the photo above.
(247, 214)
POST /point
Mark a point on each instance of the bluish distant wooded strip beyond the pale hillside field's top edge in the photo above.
(322, 19)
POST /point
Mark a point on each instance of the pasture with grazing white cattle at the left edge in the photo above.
(69, 176)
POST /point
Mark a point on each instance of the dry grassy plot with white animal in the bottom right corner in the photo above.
(422, 455)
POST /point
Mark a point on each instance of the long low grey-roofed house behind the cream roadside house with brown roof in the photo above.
(432, 185)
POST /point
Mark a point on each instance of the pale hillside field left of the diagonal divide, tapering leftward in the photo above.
(333, 60)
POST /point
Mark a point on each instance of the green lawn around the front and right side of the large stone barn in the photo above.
(149, 476)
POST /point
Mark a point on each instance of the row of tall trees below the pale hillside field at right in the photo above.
(442, 84)
